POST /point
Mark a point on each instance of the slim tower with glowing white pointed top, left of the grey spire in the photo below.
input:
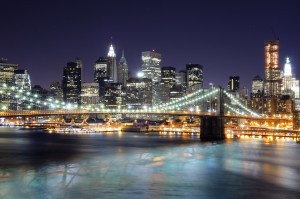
(112, 66)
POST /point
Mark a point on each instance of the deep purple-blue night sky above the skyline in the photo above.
(226, 37)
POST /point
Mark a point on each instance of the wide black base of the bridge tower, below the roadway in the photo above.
(212, 128)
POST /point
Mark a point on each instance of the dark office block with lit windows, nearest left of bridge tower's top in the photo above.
(194, 77)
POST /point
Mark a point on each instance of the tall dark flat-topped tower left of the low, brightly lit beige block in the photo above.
(72, 83)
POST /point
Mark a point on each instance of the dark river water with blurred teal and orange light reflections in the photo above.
(35, 164)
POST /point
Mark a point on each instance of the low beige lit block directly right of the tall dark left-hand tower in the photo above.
(89, 93)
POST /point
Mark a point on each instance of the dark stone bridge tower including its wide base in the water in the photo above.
(212, 127)
